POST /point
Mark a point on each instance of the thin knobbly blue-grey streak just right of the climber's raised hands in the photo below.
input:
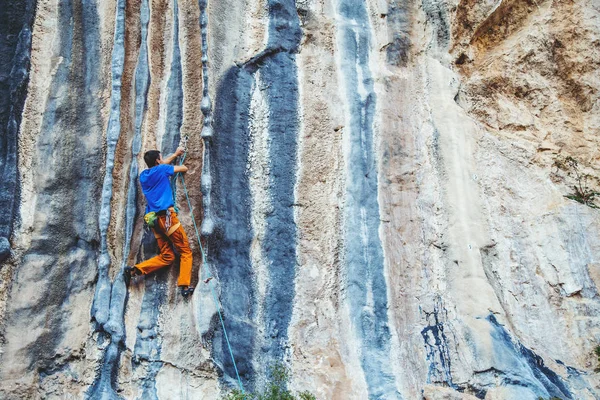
(208, 221)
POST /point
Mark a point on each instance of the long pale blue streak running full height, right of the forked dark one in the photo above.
(366, 285)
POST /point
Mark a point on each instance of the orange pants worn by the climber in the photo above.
(167, 255)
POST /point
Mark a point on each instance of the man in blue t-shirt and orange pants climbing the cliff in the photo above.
(162, 218)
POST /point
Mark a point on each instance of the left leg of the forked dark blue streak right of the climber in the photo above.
(229, 247)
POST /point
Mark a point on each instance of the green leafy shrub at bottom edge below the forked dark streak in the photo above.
(276, 389)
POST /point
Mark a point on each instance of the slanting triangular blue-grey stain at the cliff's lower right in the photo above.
(521, 367)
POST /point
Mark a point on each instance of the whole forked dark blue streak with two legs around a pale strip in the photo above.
(229, 248)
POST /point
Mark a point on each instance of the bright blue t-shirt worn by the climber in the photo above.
(157, 187)
